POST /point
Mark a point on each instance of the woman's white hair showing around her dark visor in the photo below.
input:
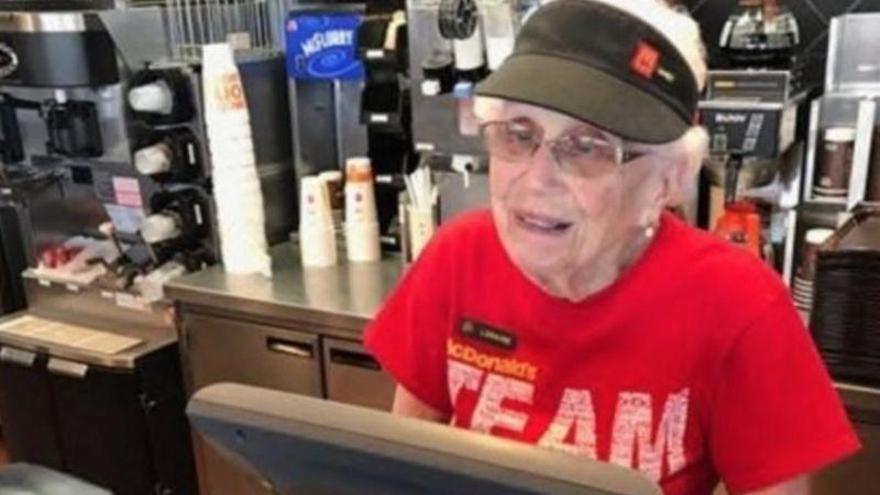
(683, 32)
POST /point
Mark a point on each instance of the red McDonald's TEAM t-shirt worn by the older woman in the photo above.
(693, 365)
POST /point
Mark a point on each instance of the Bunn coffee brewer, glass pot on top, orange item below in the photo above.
(754, 110)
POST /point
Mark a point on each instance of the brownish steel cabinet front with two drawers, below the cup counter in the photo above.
(229, 349)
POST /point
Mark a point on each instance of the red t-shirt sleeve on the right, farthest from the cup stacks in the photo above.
(775, 413)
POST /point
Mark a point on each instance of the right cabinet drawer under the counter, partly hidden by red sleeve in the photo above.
(354, 377)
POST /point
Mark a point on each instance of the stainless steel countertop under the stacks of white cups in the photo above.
(345, 296)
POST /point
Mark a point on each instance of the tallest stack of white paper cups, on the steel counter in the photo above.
(237, 192)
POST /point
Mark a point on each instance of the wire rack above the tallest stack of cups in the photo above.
(251, 25)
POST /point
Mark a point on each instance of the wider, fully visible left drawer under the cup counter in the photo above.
(225, 350)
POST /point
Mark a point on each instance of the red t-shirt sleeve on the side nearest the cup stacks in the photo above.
(408, 335)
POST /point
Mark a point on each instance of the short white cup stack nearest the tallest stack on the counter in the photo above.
(316, 233)
